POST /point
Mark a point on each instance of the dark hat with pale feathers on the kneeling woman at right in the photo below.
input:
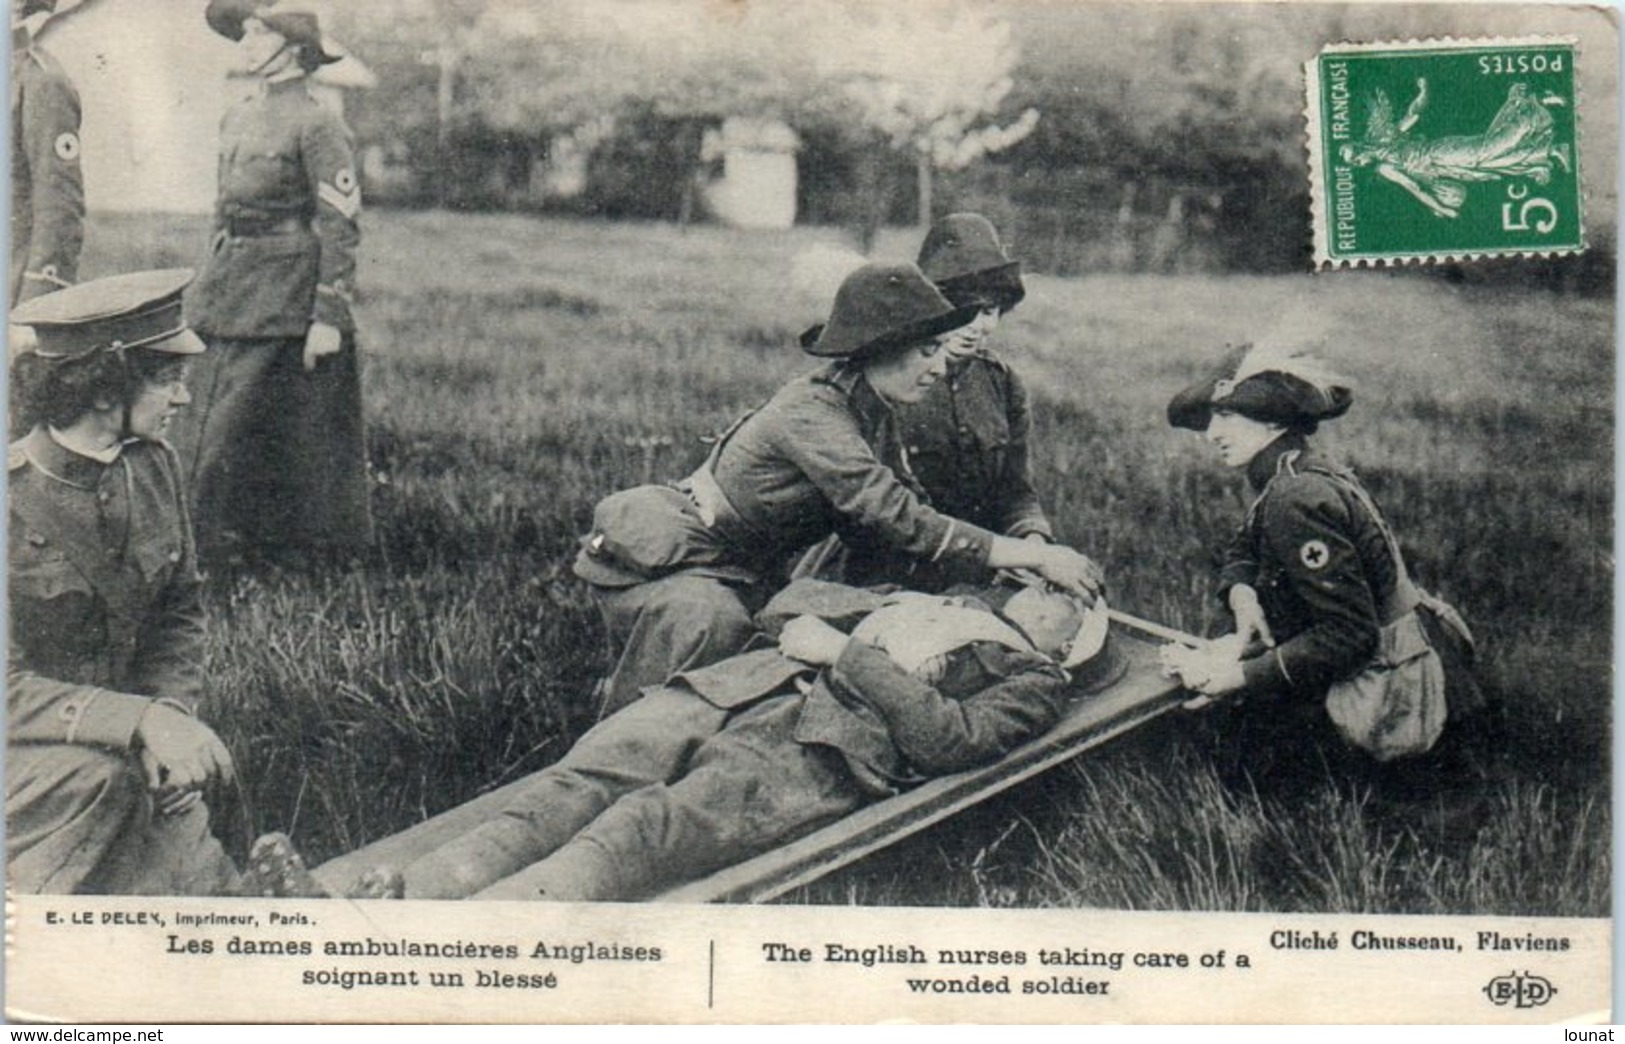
(1291, 389)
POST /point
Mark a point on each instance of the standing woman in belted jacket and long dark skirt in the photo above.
(275, 446)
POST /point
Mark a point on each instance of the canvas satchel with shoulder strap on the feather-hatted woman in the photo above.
(1393, 708)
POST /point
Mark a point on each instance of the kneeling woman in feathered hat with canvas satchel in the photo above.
(1340, 656)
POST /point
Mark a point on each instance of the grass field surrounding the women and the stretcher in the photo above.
(518, 370)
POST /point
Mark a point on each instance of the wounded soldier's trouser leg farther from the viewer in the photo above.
(649, 742)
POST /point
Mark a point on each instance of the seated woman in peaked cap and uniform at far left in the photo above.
(105, 760)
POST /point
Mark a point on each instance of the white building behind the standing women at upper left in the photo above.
(154, 84)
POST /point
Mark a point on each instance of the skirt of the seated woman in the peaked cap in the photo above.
(80, 820)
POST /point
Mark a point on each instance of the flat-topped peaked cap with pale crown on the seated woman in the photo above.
(141, 310)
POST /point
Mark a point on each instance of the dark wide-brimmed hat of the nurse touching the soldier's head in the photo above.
(883, 307)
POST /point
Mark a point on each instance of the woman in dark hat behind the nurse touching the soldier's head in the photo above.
(968, 437)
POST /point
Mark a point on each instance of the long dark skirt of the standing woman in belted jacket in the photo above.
(275, 455)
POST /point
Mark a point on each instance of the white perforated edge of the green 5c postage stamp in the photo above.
(1314, 142)
